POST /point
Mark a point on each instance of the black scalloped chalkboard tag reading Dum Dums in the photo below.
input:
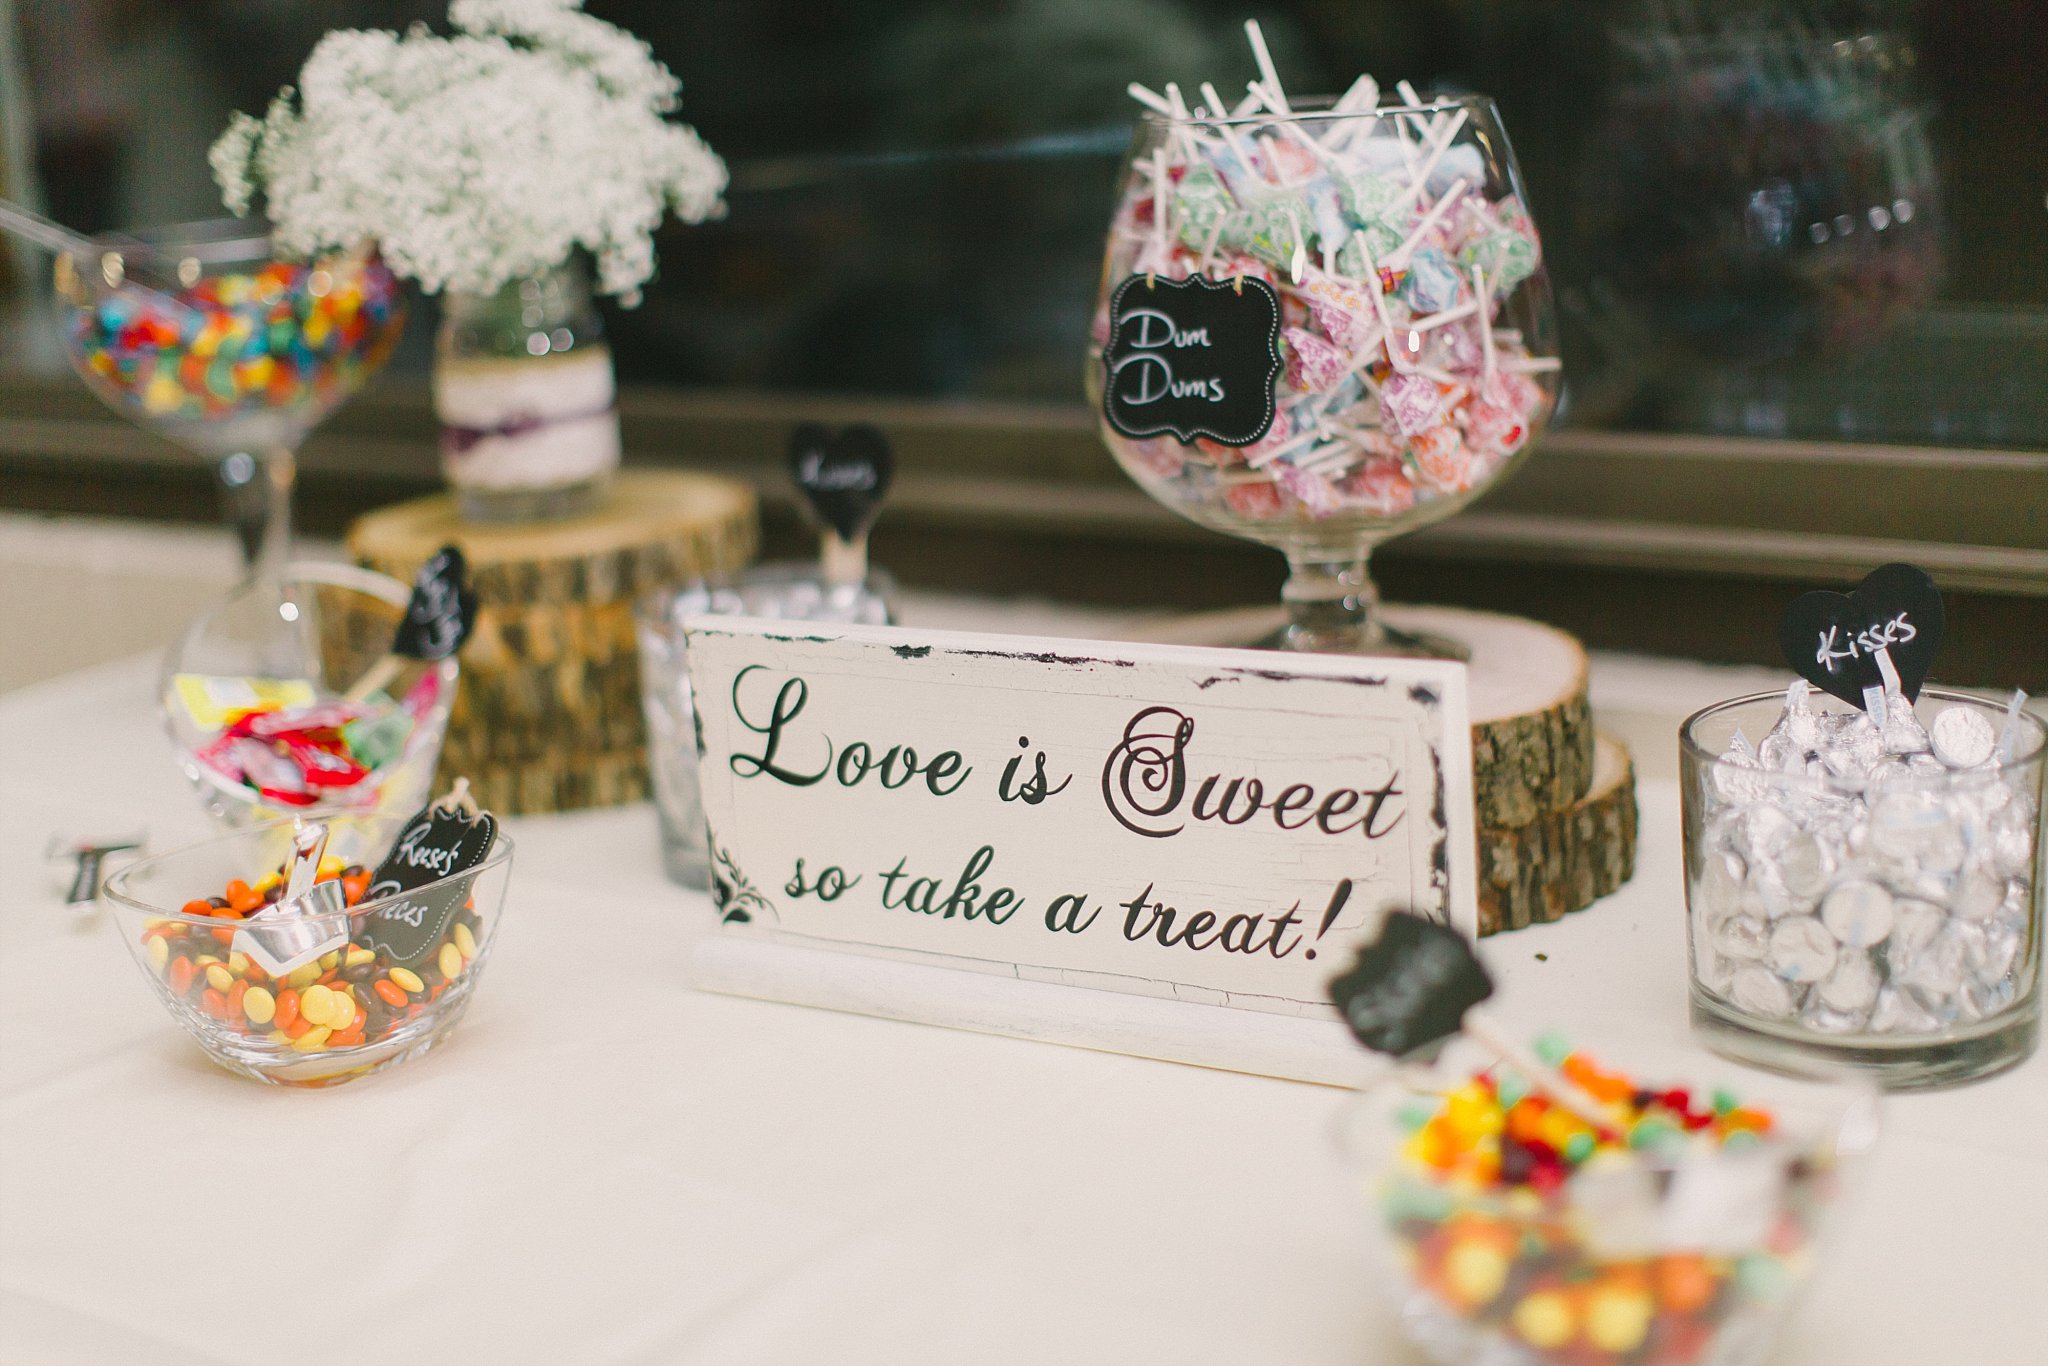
(1193, 357)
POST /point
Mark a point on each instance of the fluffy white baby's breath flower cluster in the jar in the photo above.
(482, 157)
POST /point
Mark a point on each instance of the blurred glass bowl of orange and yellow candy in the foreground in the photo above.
(1676, 1230)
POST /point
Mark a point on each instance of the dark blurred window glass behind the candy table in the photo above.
(1764, 218)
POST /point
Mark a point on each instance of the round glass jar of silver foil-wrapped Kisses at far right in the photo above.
(1863, 890)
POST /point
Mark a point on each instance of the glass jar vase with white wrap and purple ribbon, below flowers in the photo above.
(527, 398)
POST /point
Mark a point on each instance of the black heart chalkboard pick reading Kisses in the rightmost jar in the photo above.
(1834, 640)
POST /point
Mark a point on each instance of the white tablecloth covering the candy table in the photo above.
(607, 1166)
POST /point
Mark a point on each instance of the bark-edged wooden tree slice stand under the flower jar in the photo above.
(550, 716)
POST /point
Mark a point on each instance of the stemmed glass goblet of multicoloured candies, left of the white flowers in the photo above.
(200, 333)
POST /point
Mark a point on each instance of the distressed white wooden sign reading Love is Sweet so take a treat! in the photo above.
(1142, 849)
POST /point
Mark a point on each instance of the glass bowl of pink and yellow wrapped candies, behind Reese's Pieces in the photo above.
(267, 706)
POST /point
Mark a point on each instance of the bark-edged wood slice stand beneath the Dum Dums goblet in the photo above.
(1558, 812)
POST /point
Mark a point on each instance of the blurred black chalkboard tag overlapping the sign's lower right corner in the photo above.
(1412, 986)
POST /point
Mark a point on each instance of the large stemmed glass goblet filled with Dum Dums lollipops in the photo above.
(1322, 325)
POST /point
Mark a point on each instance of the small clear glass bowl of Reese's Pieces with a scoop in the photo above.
(382, 980)
